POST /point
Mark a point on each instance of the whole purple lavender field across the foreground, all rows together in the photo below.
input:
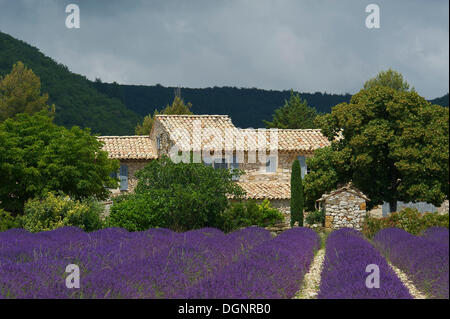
(206, 263)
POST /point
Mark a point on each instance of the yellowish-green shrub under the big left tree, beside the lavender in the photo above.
(54, 211)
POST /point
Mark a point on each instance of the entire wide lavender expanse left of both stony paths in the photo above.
(156, 263)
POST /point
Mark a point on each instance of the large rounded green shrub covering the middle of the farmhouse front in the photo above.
(179, 196)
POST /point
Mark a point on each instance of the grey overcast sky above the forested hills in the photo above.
(305, 45)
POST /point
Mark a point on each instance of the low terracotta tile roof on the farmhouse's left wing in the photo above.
(129, 147)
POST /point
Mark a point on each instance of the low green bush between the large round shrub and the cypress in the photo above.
(249, 213)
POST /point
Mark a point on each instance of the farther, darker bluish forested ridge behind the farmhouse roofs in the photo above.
(246, 107)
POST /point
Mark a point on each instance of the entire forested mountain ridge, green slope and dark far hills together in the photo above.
(115, 109)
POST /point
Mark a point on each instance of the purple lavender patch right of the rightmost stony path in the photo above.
(425, 259)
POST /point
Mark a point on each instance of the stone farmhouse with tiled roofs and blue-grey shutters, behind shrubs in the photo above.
(266, 156)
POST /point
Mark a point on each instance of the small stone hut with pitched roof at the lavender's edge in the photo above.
(344, 207)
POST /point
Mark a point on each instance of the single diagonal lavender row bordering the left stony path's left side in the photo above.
(271, 270)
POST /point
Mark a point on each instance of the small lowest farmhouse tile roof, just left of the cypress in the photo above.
(269, 190)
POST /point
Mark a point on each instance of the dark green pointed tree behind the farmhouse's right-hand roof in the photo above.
(295, 114)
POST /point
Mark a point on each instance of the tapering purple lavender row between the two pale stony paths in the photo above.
(349, 261)
